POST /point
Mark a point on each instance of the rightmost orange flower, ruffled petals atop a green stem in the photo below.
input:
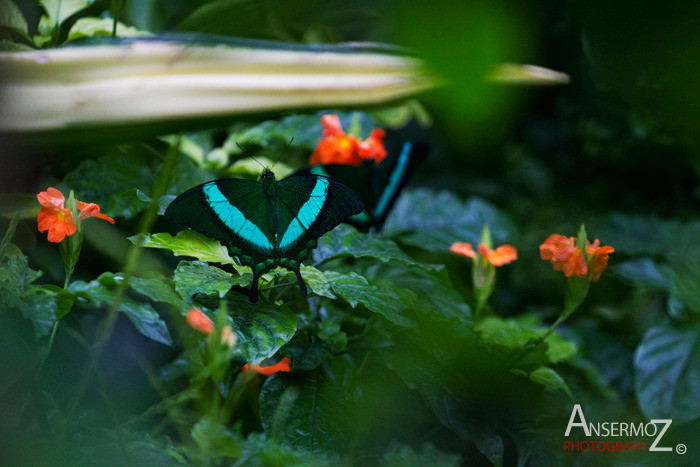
(565, 256)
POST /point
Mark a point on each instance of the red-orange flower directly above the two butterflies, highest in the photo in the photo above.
(337, 147)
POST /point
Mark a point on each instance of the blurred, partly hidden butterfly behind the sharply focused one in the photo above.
(378, 184)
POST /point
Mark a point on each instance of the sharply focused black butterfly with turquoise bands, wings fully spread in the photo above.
(269, 223)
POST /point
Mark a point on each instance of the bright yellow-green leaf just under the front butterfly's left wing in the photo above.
(186, 243)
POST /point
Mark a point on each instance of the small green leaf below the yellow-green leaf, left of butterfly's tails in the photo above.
(196, 277)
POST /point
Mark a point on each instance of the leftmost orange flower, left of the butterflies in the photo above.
(57, 218)
